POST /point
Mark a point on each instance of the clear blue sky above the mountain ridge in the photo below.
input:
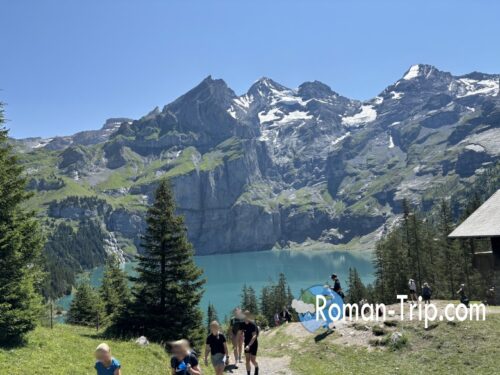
(68, 65)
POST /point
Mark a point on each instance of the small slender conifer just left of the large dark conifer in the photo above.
(114, 291)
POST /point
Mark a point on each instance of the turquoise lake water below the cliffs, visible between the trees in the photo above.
(227, 273)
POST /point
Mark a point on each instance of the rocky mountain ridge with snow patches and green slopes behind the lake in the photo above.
(278, 167)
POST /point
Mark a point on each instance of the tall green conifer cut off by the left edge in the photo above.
(21, 243)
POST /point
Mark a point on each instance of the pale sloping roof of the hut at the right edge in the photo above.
(484, 222)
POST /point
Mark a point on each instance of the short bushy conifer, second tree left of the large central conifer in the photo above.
(86, 308)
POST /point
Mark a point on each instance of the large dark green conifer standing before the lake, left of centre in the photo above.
(168, 287)
